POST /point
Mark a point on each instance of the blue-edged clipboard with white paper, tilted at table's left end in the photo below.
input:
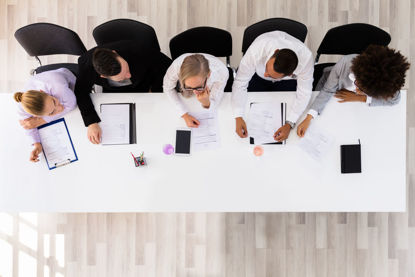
(57, 144)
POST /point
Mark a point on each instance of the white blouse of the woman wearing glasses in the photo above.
(216, 82)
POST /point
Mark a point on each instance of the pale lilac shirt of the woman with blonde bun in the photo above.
(59, 83)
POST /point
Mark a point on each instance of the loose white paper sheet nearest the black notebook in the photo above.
(316, 143)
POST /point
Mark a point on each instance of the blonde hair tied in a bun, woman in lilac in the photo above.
(33, 101)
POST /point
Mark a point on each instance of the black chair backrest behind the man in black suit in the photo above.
(124, 29)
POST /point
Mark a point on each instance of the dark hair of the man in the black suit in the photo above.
(105, 62)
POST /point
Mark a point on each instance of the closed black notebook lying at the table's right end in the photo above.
(351, 161)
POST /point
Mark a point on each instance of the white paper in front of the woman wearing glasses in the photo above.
(206, 136)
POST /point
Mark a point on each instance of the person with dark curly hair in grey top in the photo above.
(374, 77)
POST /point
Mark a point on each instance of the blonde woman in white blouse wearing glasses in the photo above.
(200, 75)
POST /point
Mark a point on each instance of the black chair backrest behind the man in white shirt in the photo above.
(291, 27)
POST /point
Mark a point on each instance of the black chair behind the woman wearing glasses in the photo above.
(209, 40)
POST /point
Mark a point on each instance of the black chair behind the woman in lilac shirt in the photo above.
(42, 39)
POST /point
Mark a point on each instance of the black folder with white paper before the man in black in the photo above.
(118, 123)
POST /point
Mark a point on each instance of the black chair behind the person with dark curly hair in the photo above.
(348, 39)
